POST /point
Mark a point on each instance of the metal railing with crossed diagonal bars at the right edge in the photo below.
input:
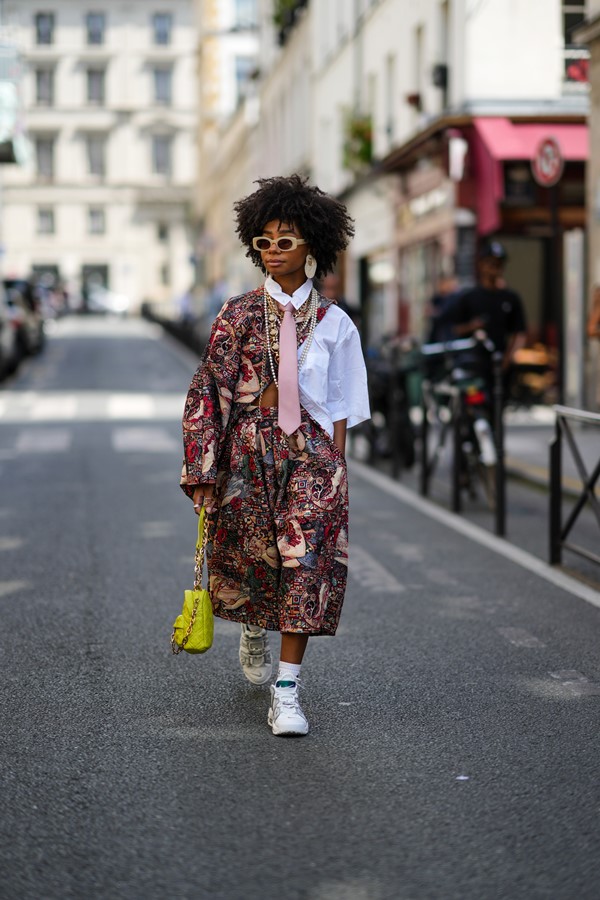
(559, 531)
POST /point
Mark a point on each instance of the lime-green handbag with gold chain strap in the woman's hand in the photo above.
(193, 630)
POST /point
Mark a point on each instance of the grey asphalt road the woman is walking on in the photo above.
(454, 749)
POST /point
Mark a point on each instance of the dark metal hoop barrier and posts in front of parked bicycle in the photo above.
(455, 405)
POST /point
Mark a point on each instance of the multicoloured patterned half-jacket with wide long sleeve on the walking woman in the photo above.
(229, 372)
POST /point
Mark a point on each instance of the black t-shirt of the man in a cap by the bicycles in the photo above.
(501, 311)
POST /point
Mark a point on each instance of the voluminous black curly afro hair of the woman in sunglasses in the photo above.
(322, 221)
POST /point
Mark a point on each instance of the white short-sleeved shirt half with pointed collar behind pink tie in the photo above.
(333, 379)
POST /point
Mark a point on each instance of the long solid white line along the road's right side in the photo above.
(475, 533)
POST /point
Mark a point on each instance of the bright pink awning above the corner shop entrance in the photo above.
(498, 139)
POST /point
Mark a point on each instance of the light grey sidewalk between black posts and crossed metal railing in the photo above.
(528, 435)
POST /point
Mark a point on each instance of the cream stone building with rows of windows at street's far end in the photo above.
(110, 105)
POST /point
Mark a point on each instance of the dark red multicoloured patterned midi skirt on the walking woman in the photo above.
(278, 542)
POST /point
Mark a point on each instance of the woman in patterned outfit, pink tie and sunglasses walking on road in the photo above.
(264, 431)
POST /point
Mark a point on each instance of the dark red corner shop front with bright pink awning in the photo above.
(470, 178)
